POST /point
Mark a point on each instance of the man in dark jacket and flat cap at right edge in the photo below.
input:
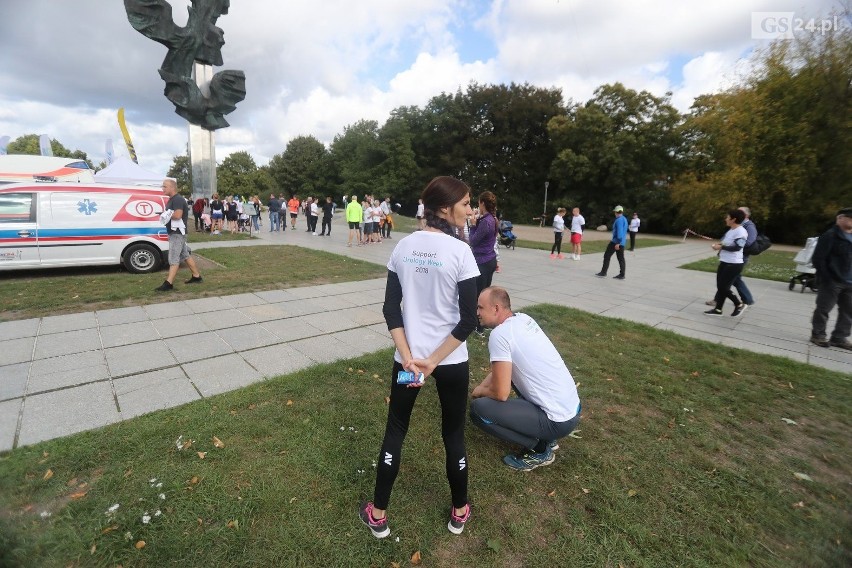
(832, 259)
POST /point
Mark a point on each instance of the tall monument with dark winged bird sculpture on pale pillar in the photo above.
(199, 95)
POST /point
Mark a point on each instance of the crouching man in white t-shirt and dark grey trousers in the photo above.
(547, 406)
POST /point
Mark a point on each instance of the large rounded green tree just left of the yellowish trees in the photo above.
(617, 148)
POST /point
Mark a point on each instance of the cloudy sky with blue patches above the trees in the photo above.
(315, 66)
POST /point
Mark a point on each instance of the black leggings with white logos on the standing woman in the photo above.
(452, 384)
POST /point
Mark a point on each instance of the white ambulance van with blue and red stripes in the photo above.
(54, 223)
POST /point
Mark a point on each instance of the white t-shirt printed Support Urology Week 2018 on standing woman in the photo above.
(429, 266)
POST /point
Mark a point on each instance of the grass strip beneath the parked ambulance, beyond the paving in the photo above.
(37, 293)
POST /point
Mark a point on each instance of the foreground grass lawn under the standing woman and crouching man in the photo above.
(688, 454)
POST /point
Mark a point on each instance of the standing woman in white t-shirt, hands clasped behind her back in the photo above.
(430, 309)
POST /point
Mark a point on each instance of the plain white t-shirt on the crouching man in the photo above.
(538, 371)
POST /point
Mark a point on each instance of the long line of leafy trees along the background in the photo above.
(777, 142)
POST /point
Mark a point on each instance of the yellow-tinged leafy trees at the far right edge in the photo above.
(777, 142)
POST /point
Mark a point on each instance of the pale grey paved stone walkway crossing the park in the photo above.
(65, 374)
